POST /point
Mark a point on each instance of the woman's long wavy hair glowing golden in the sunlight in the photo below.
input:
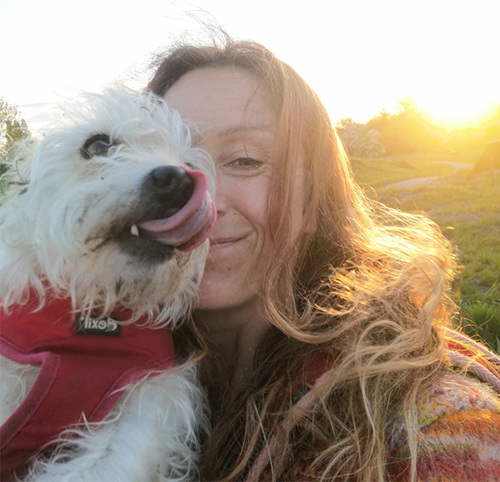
(360, 298)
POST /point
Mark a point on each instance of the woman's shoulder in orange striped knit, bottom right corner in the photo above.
(458, 431)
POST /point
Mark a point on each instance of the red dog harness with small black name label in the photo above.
(81, 375)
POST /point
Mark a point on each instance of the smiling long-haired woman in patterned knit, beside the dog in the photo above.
(326, 316)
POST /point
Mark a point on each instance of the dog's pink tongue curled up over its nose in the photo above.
(190, 226)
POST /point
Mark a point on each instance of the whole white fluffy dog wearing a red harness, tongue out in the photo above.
(103, 243)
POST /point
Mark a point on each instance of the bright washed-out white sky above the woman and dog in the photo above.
(360, 56)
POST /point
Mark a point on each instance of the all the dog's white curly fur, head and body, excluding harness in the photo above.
(55, 225)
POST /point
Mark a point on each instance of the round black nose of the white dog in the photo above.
(167, 189)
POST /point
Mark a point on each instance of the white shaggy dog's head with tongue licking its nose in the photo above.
(113, 209)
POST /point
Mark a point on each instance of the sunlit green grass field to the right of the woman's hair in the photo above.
(467, 208)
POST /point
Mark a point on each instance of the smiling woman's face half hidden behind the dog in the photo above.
(238, 129)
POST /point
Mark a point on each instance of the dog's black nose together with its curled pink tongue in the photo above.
(180, 210)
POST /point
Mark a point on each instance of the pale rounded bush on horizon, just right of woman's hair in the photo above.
(359, 139)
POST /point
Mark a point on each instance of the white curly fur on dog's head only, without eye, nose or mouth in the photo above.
(57, 230)
